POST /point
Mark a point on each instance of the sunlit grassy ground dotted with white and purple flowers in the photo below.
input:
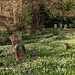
(45, 54)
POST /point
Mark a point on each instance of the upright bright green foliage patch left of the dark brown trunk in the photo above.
(27, 15)
